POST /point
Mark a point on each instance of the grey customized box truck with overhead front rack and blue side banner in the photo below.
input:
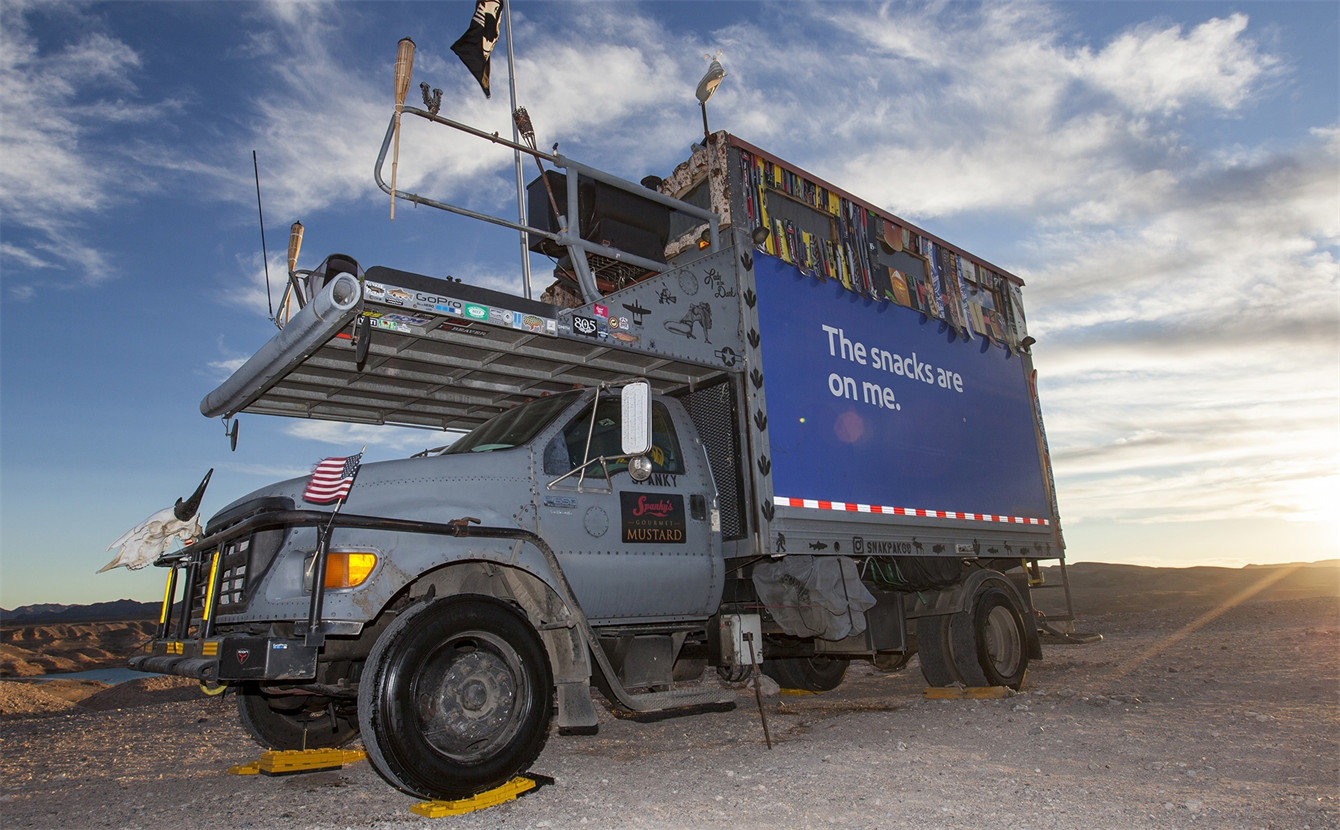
(755, 424)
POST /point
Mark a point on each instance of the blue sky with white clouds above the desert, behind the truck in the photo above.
(1164, 176)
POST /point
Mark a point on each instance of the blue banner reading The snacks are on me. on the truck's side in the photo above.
(870, 403)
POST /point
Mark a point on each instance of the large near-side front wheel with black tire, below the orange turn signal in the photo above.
(456, 698)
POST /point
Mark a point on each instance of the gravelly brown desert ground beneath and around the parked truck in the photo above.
(1179, 719)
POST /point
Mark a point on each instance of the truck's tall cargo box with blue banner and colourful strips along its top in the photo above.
(892, 398)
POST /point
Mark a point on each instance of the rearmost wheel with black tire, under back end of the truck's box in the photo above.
(990, 643)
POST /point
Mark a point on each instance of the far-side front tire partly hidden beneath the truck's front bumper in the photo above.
(293, 722)
